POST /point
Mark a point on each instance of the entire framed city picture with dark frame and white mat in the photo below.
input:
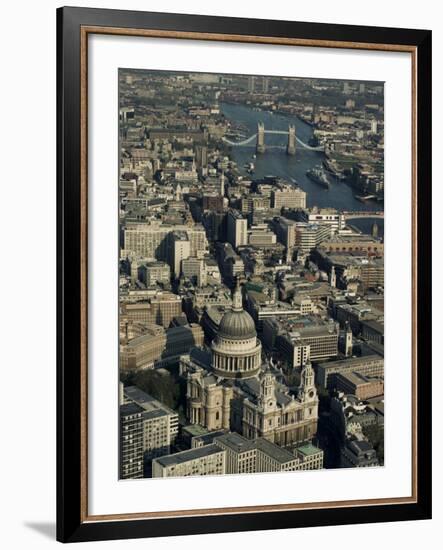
(222, 273)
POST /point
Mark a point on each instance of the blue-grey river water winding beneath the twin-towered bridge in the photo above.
(293, 168)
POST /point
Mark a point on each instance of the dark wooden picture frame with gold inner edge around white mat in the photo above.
(74, 25)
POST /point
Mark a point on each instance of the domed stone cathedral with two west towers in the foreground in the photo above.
(230, 388)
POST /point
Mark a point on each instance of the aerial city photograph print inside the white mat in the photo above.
(251, 274)
